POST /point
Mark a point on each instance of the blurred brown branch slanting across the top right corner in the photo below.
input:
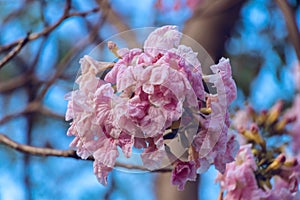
(291, 24)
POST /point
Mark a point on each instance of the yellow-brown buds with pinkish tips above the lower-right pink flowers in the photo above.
(270, 160)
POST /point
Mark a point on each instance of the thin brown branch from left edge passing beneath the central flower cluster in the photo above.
(39, 151)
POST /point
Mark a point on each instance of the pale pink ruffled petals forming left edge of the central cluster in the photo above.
(89, 138)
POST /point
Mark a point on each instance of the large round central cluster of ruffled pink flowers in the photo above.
(146, 93)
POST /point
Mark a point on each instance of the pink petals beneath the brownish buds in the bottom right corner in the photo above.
(240, 182)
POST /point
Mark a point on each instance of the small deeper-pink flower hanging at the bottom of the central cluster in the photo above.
(183, 172)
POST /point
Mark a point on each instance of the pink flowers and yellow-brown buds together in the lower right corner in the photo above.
(274, 173)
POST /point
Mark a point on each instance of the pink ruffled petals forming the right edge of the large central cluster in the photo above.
(213, 143)
